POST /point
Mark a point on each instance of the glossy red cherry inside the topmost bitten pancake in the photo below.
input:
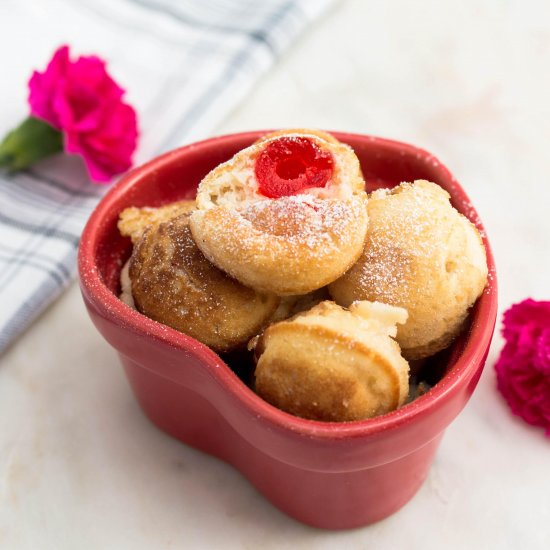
(289, 165)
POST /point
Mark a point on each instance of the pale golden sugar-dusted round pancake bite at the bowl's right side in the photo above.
(422, 255)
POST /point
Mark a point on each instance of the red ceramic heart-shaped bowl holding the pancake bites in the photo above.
(331, 475)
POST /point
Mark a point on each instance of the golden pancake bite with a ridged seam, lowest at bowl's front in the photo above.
(334, 364)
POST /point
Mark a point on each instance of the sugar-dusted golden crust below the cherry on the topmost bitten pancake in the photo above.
(292, 245)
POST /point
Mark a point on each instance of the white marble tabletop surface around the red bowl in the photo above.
(80, 466)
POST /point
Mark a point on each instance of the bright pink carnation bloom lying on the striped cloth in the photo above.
(80, 99)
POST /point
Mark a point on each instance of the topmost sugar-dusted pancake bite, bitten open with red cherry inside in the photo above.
(287, 215)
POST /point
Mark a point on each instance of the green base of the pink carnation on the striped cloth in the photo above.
(30, 142)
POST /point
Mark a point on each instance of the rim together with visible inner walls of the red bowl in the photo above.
(176, 175)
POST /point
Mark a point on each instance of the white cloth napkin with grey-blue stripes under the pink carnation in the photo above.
(185, 65)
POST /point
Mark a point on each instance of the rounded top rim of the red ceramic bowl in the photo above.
(467, 365)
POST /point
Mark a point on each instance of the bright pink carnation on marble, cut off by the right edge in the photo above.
(523, 368)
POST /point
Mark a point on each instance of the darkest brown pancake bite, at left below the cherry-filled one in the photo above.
(173, 283)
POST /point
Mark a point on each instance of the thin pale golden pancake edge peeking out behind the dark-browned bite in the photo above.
(133, 221)
